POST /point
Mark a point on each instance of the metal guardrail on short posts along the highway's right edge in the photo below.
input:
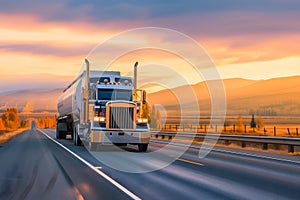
(264, 140)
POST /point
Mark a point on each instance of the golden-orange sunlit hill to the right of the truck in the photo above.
(278, 96)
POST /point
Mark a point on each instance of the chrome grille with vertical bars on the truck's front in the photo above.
(121, 117)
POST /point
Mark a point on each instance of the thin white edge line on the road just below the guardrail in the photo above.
(236, 153)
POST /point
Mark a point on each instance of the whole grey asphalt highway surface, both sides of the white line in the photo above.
(35, 167)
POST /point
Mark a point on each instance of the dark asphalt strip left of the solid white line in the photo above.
(34, 167)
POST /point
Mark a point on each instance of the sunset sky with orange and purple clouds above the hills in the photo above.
(257, 39)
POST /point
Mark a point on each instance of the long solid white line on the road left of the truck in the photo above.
(115, 183)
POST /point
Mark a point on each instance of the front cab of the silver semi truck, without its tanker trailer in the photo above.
(116, 118)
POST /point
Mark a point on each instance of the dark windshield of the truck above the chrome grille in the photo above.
(114, 94)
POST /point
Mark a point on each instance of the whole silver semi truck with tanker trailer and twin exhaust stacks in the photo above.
(104, 108)
